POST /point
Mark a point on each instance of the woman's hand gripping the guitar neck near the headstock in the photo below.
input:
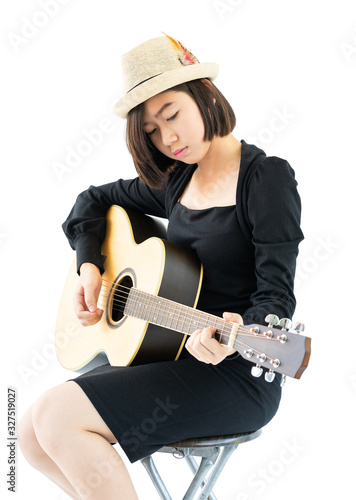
(205, 348)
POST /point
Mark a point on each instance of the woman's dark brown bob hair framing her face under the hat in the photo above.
(152, 166)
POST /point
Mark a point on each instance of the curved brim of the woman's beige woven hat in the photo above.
(161, 83)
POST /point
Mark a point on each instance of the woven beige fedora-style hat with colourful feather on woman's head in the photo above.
(157, 65)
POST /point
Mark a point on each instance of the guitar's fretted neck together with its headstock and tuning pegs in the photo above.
(281, 351)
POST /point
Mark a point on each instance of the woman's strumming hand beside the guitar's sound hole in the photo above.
(86, 295)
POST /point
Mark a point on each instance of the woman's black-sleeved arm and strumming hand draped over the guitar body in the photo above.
(85, 229)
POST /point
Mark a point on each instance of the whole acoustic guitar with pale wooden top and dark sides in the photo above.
(149, 293)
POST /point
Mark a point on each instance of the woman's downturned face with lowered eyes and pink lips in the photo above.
(175, 126)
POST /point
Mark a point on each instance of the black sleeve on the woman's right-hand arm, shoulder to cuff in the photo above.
(274, 213)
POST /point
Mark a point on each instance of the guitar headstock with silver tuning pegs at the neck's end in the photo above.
(278, 346)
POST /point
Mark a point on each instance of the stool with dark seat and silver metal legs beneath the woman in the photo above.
(214, 453)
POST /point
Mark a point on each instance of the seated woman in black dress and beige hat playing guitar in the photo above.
(240, 211)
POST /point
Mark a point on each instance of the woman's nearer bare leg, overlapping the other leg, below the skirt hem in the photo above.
(75, 438)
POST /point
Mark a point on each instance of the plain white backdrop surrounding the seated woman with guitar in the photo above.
(60, 78)
